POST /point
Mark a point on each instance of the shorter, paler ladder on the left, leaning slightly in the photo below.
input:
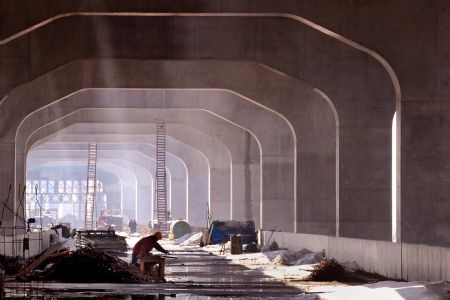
(91, 187)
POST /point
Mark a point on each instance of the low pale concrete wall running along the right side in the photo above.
(394, 260)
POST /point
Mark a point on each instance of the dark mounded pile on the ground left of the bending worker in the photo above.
(91, 265)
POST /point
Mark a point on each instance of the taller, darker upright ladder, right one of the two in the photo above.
(161, 193)
